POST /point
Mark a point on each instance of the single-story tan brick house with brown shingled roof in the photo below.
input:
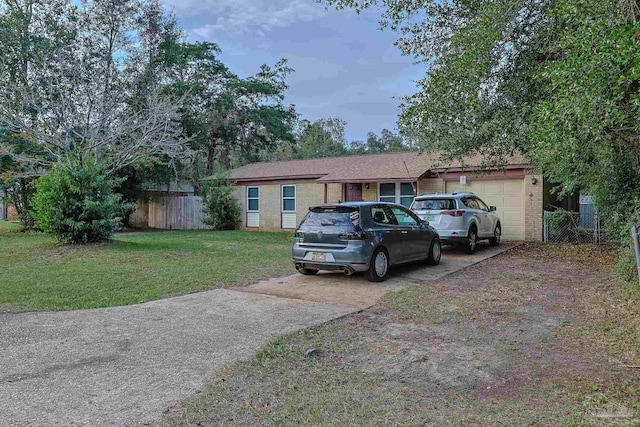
(277, 195)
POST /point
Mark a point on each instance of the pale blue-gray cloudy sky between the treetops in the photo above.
(345, 67)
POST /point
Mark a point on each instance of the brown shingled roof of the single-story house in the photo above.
(366, 168)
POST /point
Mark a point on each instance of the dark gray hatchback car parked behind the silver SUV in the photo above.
(363, 237)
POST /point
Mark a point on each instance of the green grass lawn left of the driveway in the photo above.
(38, 274)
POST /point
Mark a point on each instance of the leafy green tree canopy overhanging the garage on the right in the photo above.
(555, 81)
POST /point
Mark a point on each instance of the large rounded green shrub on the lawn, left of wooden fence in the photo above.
(76, 203)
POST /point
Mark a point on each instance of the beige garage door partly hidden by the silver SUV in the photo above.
(507, 195)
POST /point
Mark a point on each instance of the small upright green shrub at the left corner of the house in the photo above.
(220, 208)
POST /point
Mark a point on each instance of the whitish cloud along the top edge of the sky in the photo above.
(246, 16)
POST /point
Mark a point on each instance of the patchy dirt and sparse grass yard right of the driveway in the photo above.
(539, 336)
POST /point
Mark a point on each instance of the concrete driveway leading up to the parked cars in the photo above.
(125, 366)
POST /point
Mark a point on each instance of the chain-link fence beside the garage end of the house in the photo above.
(563, 226)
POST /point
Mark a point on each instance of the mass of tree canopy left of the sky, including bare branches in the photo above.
(115, 81)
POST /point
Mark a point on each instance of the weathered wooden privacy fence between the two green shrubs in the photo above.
(169, 213)
